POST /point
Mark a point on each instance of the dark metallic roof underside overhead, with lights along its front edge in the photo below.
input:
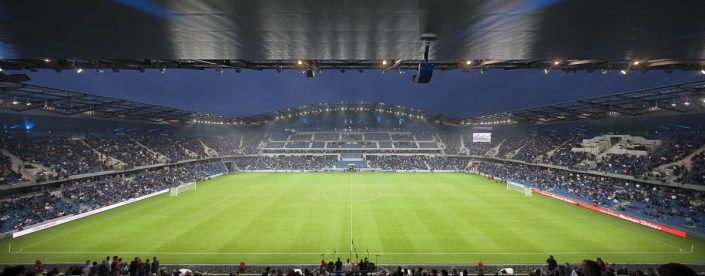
(274, 34)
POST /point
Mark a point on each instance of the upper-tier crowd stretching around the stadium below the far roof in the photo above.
(63, 156)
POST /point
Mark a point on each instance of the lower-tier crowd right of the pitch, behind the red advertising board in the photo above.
(665, 204)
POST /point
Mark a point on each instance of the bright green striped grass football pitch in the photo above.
(420, 218)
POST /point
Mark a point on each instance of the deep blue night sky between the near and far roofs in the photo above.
(452, 93)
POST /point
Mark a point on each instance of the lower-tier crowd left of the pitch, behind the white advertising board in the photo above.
(80, 196)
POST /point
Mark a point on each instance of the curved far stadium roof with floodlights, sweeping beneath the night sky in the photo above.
(678, 98)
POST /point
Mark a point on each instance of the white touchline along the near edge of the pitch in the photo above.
(375, 253)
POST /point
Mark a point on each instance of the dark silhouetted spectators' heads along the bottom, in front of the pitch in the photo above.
(138, 266)
